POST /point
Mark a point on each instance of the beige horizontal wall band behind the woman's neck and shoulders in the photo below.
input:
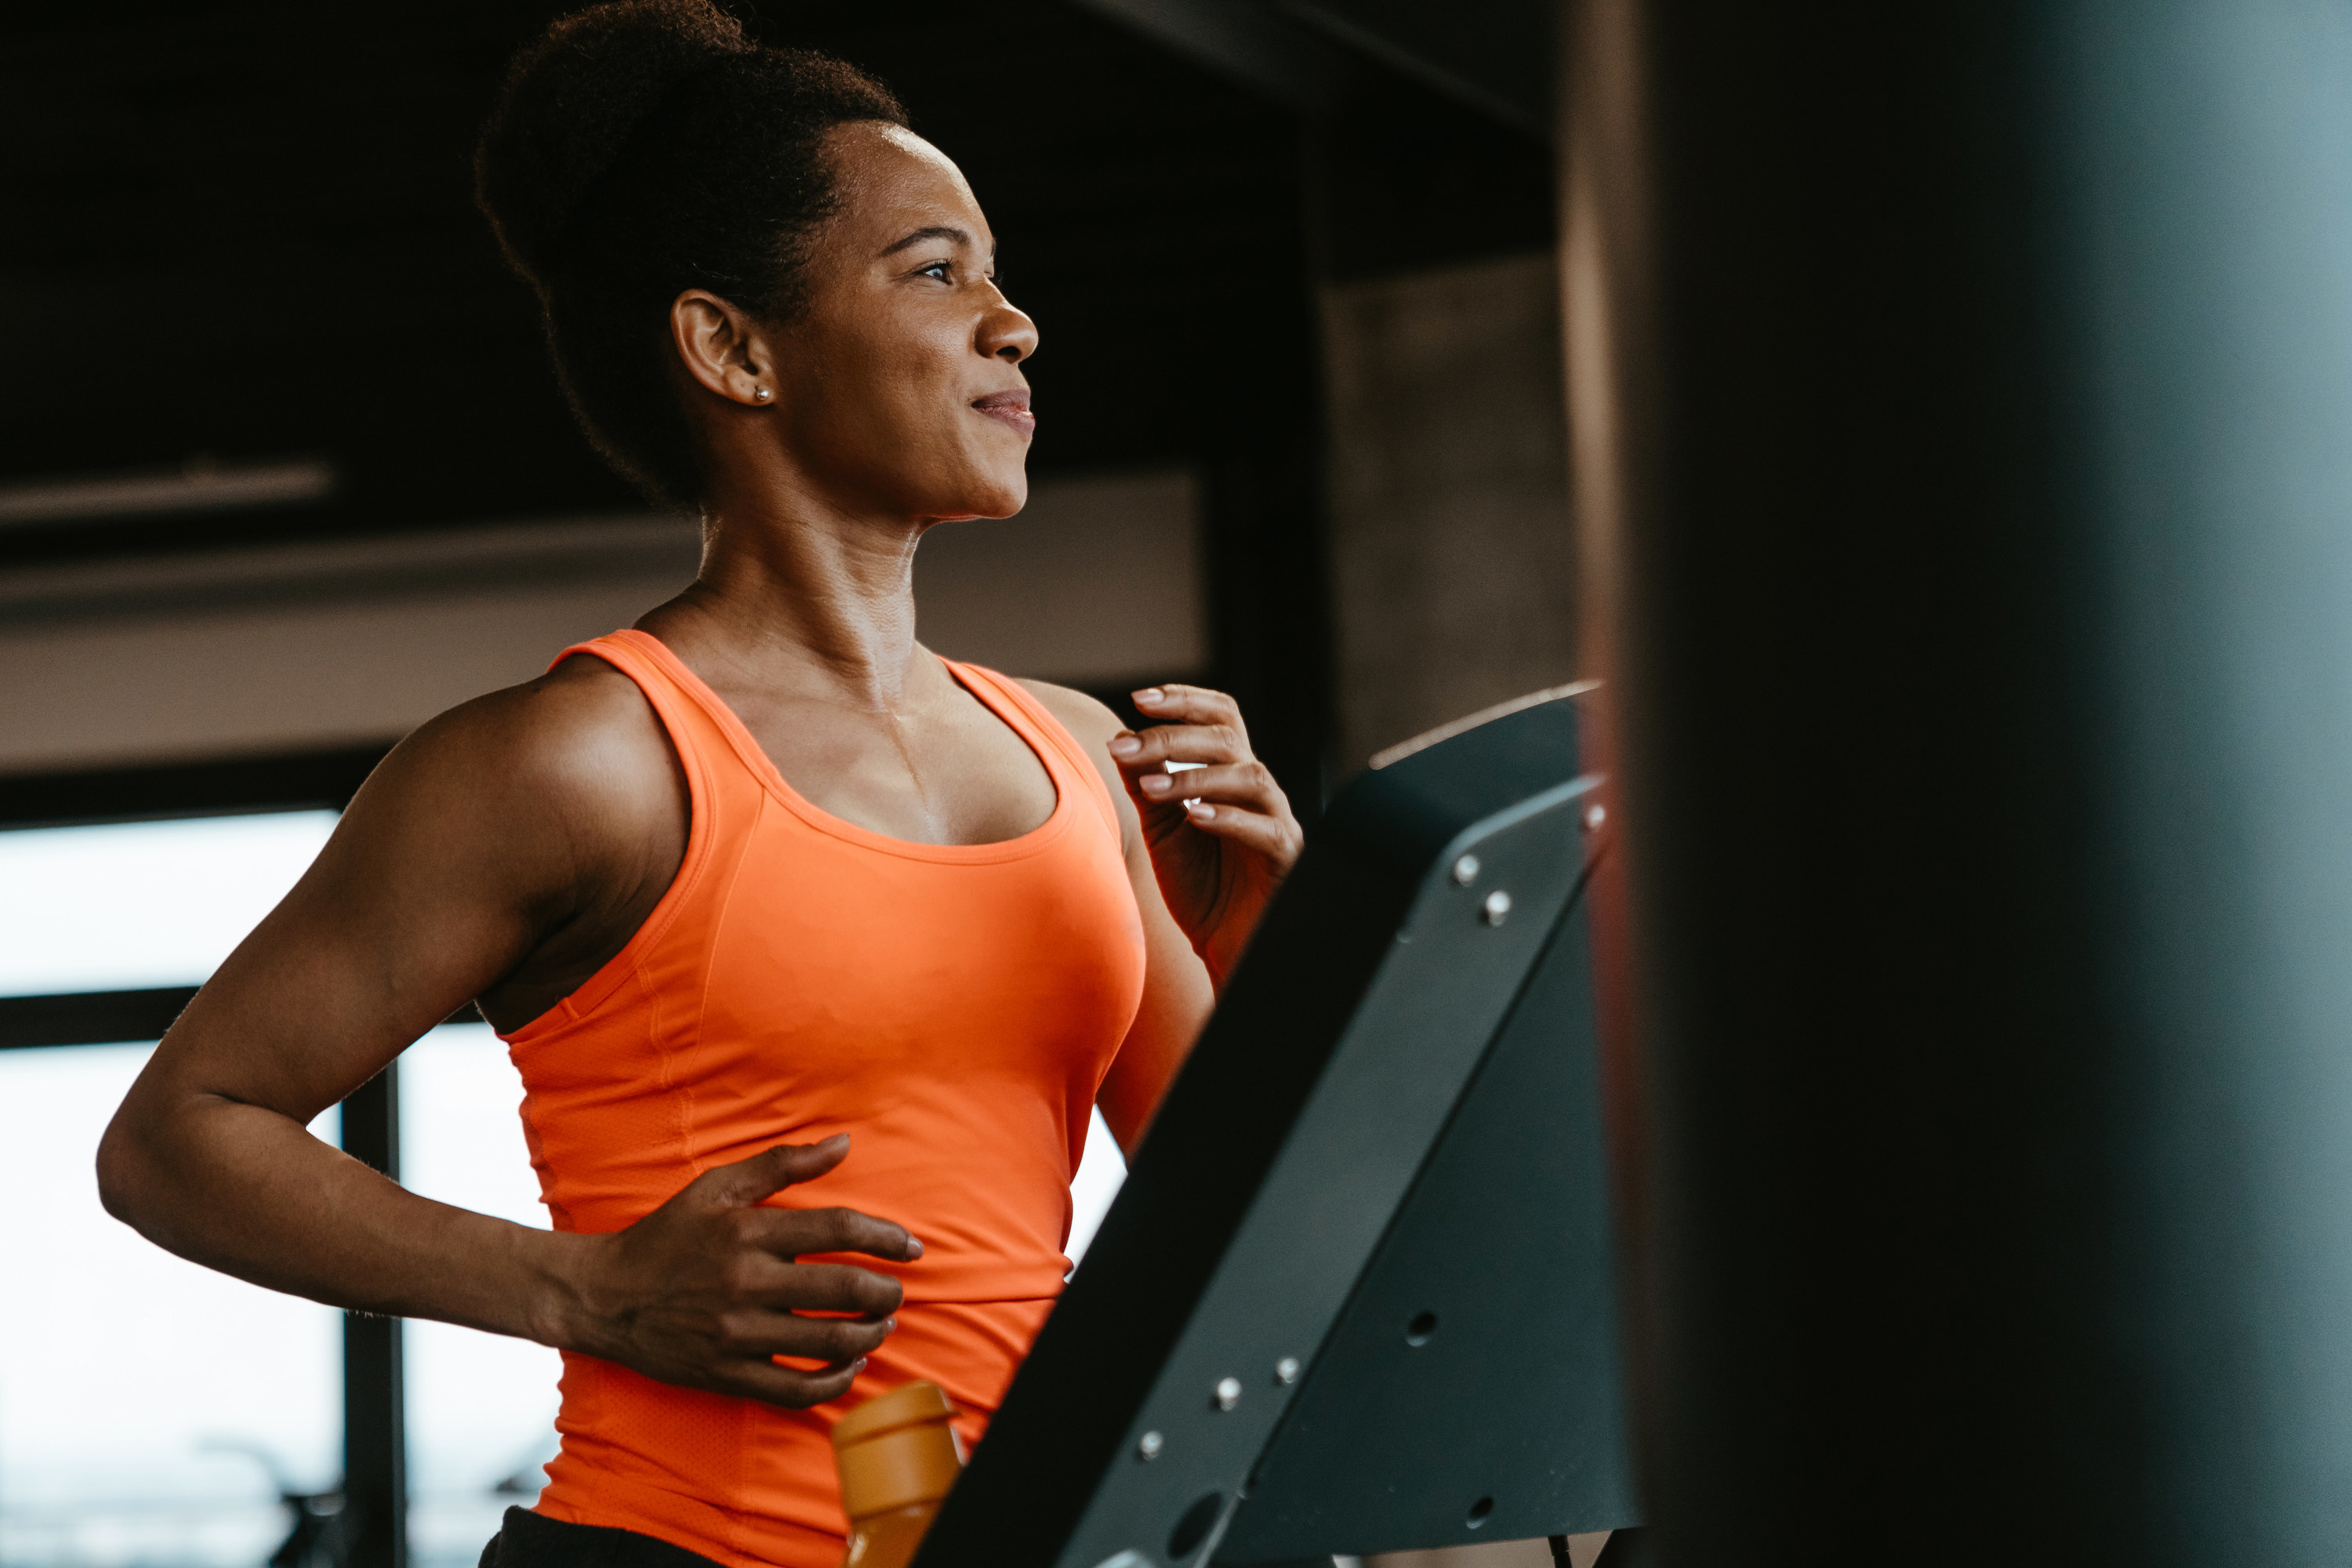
(295, 648)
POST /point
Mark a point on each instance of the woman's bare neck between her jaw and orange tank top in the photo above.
(803, 596)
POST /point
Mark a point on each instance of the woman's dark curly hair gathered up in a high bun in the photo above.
(643, 149)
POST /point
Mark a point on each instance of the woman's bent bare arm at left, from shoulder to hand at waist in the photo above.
(502, 852)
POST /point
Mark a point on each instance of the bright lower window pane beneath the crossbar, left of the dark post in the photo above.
(145, 1402)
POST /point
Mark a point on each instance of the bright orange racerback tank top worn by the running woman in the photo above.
(951, 1007)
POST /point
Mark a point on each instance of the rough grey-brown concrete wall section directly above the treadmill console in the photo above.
(1450, 502)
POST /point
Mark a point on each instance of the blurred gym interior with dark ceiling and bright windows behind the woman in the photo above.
(283, 474)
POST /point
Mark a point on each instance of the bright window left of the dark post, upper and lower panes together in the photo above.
(152, 1412)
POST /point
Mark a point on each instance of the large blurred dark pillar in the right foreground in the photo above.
(1963, 403)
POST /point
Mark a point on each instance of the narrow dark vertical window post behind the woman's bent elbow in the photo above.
(375, 1452)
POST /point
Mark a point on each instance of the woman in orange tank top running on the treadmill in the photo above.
(808, 944)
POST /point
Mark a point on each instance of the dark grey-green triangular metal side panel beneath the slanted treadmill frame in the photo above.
(1474, 1386)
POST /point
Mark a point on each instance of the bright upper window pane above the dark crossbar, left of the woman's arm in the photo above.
(135, 906)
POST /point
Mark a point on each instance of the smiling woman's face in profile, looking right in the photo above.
(900, 387)
